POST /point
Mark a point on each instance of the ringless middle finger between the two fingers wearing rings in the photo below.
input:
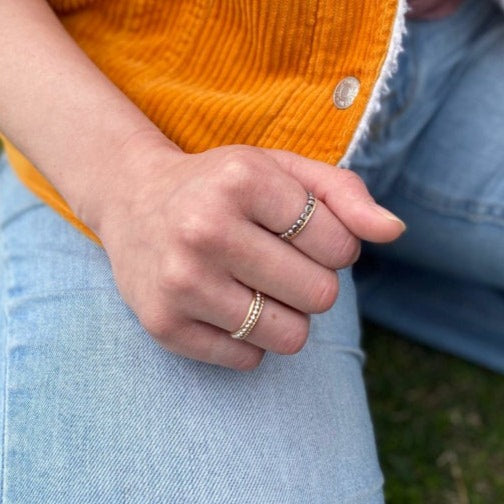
(266, 263)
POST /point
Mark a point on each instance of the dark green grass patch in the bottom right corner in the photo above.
(439, 423)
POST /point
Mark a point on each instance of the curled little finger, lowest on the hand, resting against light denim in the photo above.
(207, 343)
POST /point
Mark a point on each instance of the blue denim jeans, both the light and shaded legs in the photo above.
(94, 411)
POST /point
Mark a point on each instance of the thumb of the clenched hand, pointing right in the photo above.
(344, 193)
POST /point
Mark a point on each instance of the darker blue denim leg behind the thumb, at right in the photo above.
(435, 156)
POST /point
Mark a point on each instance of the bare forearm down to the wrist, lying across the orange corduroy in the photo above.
(58, 108)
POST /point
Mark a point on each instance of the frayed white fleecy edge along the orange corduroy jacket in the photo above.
(381, 88)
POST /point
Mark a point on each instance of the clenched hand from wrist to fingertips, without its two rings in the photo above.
(193, 235)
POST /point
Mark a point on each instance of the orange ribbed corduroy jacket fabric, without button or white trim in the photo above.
(215, 72)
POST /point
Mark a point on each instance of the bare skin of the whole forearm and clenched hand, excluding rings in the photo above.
(189, 236)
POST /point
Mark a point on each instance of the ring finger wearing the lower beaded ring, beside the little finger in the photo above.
(225, 303)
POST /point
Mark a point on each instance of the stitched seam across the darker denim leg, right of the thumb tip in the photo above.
(471, 210)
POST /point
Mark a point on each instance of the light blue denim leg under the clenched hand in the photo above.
(95, 412)
